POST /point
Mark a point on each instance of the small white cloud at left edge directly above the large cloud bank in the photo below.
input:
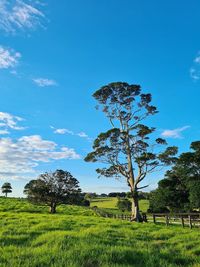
(9, 121)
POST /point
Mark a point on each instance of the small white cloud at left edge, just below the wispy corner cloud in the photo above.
(8, 58)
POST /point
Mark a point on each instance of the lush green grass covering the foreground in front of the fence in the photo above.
(75, 236)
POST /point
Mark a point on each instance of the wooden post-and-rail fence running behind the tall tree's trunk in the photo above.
(185, 219)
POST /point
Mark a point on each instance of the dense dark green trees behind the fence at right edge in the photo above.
(180, 189)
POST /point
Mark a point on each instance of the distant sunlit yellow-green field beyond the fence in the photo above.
(108, 204)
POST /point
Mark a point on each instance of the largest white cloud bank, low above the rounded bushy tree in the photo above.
(21, 156)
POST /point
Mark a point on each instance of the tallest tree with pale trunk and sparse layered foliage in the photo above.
(126, 148)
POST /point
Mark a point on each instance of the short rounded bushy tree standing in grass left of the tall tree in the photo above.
(53, 188)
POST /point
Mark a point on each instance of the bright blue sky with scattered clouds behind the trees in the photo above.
(54, 56)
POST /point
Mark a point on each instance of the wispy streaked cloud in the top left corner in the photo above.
(20, 15)
